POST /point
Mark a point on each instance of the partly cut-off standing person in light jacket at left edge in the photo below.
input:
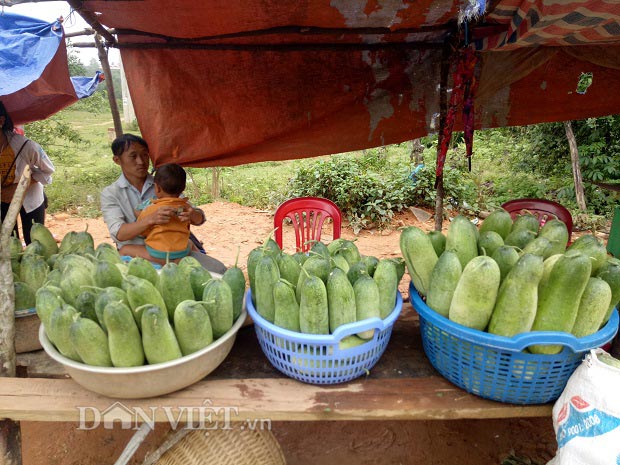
(17, 152)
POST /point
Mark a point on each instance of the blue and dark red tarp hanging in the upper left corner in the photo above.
(34, 73)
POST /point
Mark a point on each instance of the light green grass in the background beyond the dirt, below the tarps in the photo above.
(83, 169)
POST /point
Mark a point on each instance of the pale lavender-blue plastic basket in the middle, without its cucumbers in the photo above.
(317, 359)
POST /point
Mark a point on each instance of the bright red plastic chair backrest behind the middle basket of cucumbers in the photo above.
(307, 215)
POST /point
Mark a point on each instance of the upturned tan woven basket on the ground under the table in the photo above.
(236, 446)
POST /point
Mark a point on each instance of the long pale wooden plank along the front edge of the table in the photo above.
(281, 399)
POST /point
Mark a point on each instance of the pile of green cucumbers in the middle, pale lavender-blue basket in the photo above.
(317, 292)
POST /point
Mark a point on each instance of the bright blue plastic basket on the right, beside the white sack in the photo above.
(496, 367)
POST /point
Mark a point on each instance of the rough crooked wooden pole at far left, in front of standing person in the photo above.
(10, 436)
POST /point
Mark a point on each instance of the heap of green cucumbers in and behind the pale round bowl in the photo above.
(98, 310)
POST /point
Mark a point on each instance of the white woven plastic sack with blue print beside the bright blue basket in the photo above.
(586, 416)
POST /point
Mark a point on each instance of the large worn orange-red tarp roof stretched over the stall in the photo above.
(225, 82)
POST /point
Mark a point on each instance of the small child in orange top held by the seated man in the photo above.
(170, 240)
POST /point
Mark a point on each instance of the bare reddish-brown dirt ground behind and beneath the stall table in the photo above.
(231, 228)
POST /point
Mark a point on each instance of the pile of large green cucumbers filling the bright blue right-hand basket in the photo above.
(510, 277)
